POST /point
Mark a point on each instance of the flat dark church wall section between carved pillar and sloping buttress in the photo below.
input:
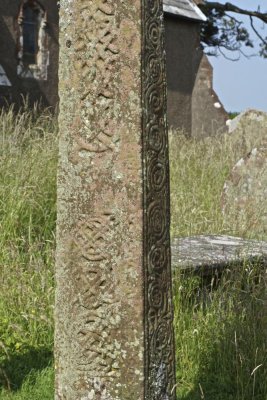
(181, 41)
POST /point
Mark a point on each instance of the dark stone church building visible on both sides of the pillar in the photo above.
(29, 62)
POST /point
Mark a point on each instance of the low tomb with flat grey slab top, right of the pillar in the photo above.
(214, 260)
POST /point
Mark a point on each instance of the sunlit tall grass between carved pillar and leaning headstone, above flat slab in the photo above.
(199, 169)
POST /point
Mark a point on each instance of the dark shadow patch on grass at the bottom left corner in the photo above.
(19, 366)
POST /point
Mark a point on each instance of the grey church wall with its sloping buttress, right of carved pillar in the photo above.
(193, 105)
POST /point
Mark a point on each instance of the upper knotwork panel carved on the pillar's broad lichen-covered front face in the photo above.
(96, 53)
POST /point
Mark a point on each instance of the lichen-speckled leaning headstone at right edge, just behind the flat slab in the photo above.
(244, 196)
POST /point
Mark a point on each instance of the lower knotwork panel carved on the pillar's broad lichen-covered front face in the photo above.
(94, 304)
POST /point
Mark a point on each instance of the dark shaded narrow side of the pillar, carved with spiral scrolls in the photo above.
(160, 368)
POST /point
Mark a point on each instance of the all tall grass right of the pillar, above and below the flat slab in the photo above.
(221, 346)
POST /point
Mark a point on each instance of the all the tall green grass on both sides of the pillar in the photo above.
(221, 345)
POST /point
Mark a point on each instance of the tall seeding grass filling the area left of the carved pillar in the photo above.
(28, 157)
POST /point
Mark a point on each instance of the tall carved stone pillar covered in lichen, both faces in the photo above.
(113, 312)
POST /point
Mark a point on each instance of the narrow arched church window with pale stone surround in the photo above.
(33, 52)
